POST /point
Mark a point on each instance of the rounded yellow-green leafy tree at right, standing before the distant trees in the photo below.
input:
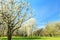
(51, 29)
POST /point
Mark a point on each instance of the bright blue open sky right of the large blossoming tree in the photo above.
(45, 11)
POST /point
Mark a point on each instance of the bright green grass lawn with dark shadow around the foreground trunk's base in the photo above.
(33, 38)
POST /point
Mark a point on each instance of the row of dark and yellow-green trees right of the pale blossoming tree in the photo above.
(51, 29)
